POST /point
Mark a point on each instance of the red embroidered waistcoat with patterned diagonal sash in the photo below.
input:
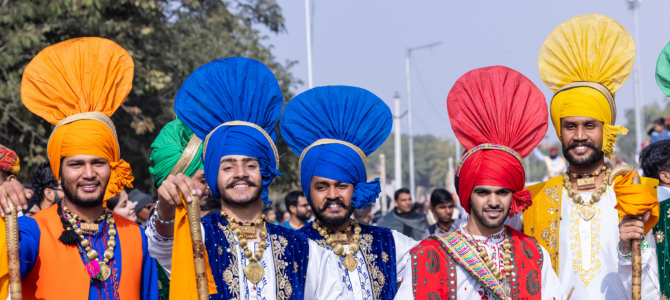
(434, 263)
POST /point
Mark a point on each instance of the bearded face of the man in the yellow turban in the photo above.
(582, 140)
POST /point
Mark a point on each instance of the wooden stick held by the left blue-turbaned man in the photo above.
(193, 214)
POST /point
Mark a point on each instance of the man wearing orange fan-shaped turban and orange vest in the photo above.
(78, 249)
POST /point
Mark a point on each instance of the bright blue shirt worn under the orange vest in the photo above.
(29, 233)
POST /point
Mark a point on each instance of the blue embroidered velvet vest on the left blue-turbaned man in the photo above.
(290, 252)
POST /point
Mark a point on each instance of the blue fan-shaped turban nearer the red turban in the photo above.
(344, 120)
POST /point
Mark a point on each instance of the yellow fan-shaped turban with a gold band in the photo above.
(584, 61)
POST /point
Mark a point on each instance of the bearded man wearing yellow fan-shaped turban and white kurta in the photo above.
(584, 61)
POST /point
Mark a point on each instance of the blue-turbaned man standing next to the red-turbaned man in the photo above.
(334, 129)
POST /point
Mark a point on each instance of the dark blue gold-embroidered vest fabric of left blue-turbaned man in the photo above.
(296, 254)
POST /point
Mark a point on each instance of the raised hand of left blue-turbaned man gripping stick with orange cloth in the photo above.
(169, 194)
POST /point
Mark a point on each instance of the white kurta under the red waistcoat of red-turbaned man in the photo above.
(469, 288)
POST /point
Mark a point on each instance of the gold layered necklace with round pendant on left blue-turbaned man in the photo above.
(253, 271)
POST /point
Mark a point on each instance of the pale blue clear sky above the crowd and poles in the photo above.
(362, 43)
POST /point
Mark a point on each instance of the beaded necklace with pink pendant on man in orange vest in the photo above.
(97, 269)
